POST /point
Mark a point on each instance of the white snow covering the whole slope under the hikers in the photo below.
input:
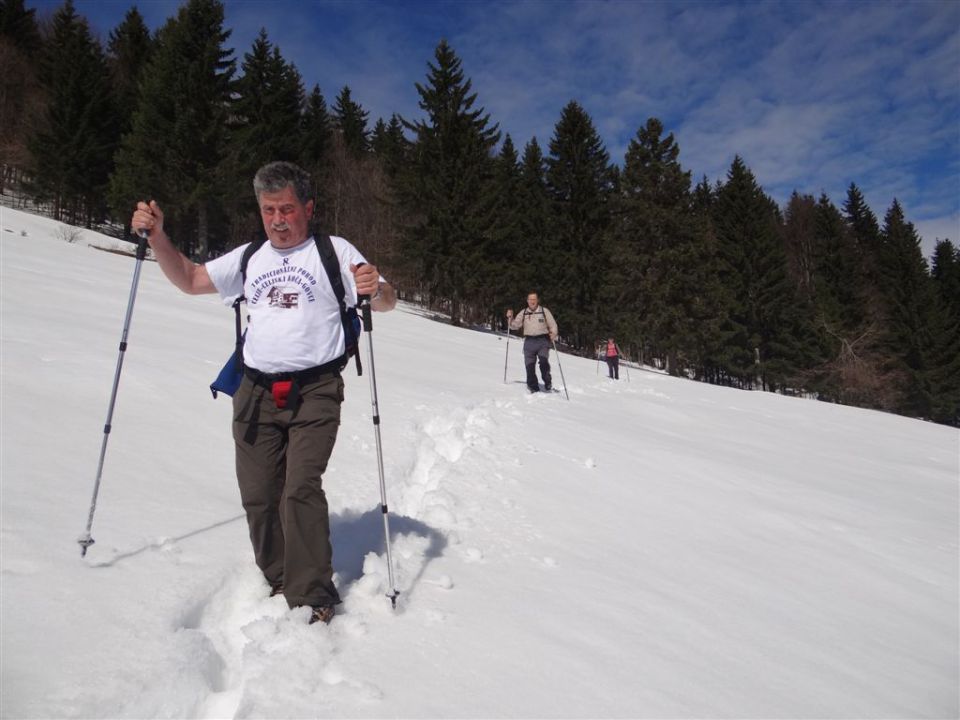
(652, 547)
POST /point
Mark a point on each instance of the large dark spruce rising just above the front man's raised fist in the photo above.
(176, 150)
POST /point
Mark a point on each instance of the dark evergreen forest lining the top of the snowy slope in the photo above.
(711, 281)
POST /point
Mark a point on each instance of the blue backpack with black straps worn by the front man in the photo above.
(228, 380)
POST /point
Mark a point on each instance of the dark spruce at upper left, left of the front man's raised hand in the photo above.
(73, 145)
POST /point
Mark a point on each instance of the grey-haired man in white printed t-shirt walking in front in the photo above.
(287, 409)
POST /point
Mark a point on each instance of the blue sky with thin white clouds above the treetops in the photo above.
(813, 95)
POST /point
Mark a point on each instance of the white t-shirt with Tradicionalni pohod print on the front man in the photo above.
(294, 316)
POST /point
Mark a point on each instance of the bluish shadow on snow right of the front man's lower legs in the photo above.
(353, 535)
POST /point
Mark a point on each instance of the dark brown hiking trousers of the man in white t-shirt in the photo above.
(281, 457)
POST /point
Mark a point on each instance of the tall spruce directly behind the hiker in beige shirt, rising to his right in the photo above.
(580, 184)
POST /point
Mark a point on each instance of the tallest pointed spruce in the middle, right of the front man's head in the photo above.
(451, 165)
